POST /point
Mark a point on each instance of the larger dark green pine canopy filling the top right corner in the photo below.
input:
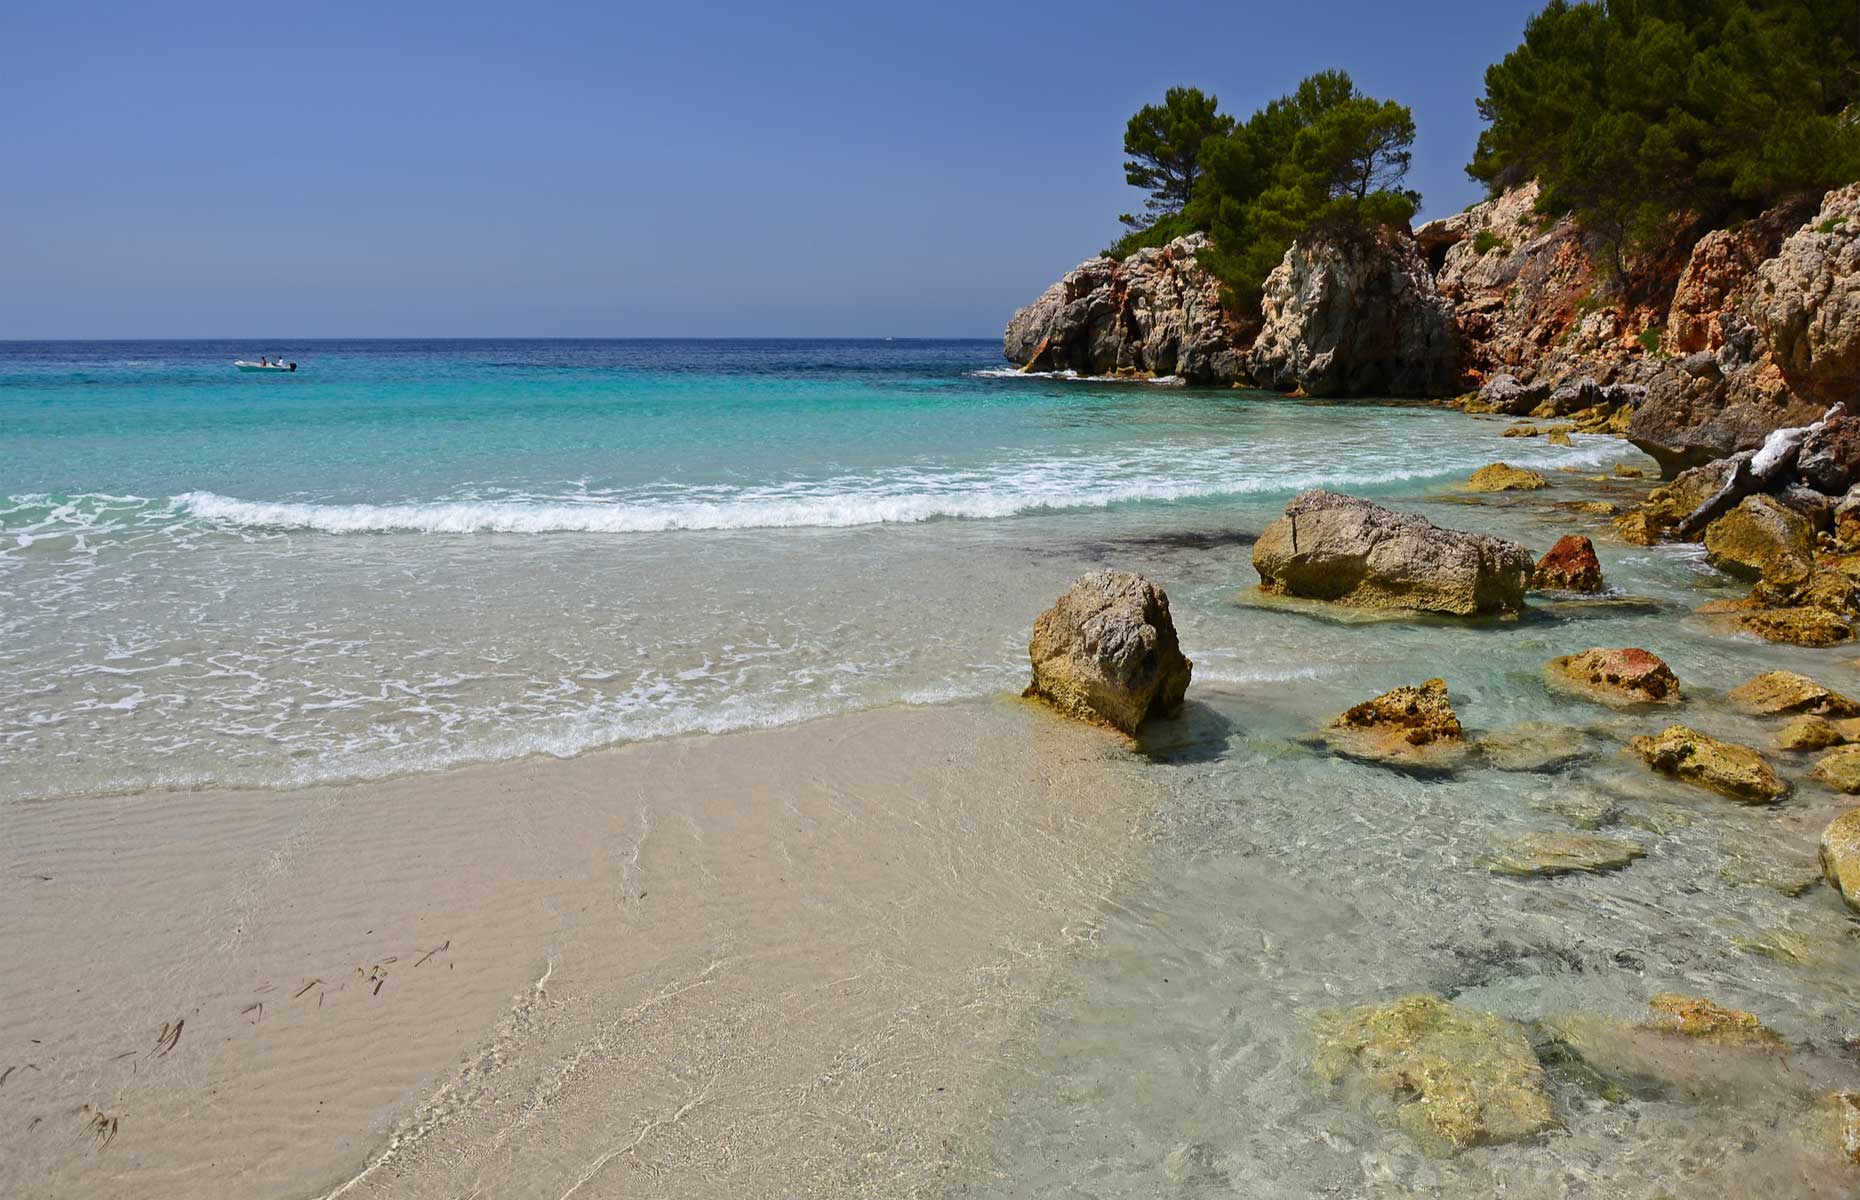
(1640, 113)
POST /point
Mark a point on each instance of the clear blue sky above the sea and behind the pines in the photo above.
(630, 170)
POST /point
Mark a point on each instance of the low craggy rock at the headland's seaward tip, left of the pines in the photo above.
(1154, 313)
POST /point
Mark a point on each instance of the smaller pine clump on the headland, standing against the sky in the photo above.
(1320, 159)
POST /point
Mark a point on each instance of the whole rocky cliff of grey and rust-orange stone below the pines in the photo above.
(1729, 336)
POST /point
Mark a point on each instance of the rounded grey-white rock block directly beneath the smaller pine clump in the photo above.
(1355, 317)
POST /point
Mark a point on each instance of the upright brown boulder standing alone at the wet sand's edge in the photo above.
(1108, 652)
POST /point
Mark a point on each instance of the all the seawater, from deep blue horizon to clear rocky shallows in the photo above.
(421, 555)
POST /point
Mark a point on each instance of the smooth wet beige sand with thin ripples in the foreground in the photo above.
(760, 965)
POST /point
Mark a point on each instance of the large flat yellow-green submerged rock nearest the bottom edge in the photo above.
(1459, 1078)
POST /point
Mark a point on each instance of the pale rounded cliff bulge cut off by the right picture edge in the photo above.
(1809, 300)
